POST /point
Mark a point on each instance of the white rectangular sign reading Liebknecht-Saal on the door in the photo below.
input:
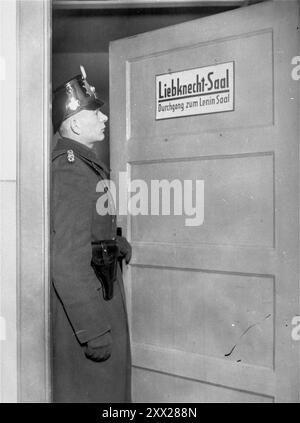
(196, 91)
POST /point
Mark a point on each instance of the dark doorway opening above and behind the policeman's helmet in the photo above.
(81, 36)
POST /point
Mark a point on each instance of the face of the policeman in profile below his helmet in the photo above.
(91, 125)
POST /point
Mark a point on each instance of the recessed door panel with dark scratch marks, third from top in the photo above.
(220, 306)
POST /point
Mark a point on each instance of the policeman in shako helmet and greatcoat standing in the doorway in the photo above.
(91, 350)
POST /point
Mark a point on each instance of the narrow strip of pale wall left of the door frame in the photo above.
(8, 188)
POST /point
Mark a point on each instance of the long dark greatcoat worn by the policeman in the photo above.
(79, 312)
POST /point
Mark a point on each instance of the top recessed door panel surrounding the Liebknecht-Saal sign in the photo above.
(252, 107)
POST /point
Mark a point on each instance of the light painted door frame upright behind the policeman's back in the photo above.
(33, 194)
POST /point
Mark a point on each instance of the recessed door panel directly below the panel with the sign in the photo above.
(238, 201)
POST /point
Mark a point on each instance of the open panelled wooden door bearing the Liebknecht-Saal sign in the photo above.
(211, 305)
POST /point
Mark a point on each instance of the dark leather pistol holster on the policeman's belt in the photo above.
(104, 262)
